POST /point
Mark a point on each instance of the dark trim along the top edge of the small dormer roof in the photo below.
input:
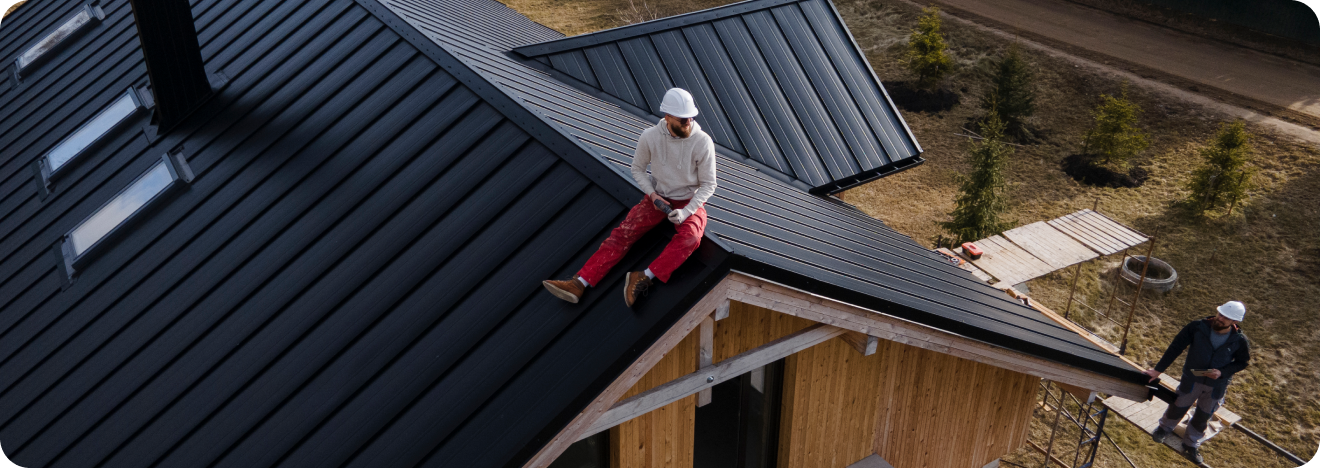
(649, 28)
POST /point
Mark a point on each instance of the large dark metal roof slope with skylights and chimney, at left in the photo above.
(353, 279)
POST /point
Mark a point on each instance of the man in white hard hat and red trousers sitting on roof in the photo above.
(683, 177)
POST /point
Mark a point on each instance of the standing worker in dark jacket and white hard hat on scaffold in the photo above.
(1216, 350)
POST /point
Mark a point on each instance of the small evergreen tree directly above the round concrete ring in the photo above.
(1116, 138)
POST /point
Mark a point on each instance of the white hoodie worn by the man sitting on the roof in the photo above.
(682, 169)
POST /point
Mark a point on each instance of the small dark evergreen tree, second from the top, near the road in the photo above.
(1012, 93)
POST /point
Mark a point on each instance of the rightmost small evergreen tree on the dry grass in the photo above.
(1224, 176)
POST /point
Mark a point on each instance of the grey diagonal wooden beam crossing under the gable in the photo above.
(683, 387)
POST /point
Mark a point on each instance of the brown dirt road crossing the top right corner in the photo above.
(1241, 77)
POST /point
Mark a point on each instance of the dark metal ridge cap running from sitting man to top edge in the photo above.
(539, 130)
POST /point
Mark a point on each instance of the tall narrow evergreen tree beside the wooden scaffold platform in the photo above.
(981, 200)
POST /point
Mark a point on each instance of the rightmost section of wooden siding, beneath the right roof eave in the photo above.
(938, 411)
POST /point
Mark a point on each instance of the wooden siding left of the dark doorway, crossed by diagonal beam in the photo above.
(665, 437)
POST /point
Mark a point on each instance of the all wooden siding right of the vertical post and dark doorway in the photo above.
(909, 405)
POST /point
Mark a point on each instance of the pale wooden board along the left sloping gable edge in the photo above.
(649, 359)
